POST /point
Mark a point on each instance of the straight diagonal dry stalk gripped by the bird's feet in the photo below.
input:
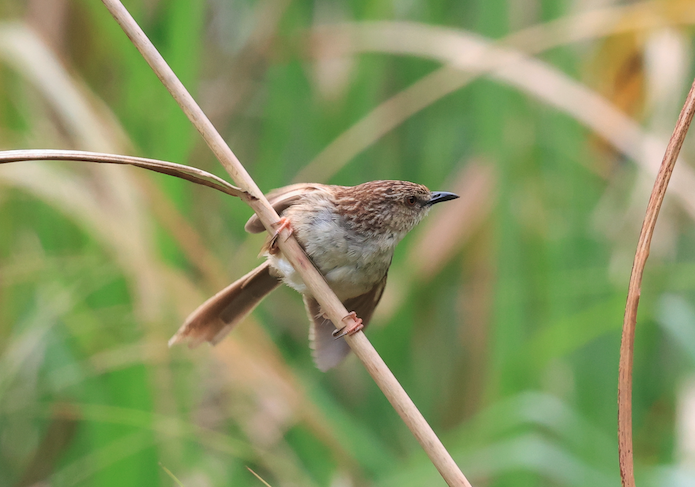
(292, 250)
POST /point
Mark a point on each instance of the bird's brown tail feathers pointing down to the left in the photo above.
(219, 314)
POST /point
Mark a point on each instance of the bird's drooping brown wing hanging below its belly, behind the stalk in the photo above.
(327, 350)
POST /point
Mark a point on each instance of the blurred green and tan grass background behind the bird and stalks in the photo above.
(502, 317)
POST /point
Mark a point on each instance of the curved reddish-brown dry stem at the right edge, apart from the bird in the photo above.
(625, 451)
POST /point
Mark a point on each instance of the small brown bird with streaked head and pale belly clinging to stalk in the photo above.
(349, 233)
